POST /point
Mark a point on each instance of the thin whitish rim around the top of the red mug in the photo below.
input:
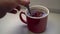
(47, 10)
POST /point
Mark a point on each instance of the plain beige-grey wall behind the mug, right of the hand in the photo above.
(54, 4)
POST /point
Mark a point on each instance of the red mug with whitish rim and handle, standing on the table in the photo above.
(36, 24)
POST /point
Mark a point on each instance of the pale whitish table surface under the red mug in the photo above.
(11, 24)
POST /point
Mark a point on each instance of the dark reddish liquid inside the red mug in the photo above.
(37, 12)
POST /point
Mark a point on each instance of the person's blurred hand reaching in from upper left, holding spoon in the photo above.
(7, 5)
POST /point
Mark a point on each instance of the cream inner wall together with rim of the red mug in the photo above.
(38, 7)
